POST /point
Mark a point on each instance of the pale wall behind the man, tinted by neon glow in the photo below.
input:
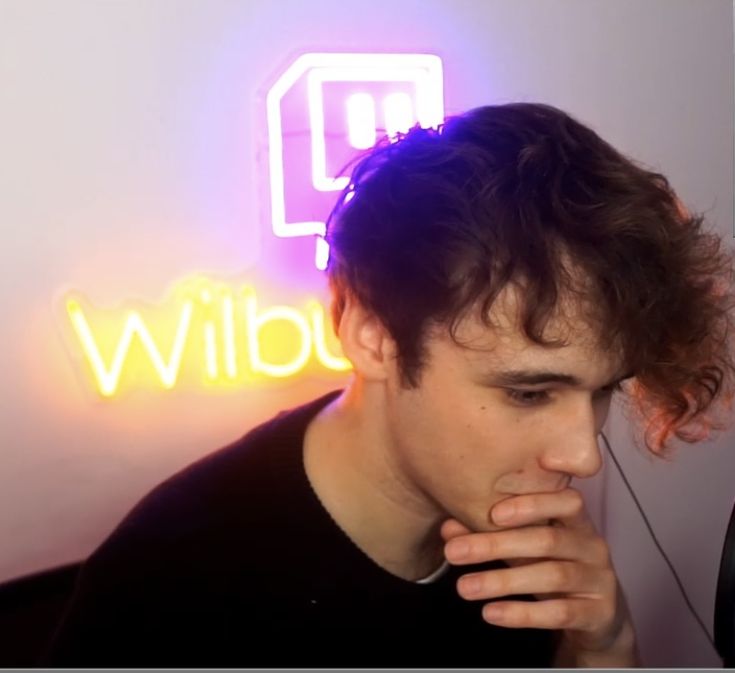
(129, 133)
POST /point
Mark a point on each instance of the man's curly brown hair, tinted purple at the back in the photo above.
(439, 221)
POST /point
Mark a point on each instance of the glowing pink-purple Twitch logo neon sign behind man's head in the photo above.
(321, 110)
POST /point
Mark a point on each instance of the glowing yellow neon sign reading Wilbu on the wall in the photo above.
(200, 336)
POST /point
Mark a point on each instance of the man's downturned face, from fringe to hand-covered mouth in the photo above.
(473, 433)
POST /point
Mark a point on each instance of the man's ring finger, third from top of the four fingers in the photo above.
(539, 578)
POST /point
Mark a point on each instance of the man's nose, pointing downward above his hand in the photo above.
(574, 448)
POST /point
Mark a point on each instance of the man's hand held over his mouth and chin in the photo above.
(556, 555)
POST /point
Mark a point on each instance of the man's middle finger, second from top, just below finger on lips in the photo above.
(530, 542)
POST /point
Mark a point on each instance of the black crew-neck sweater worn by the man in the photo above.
(234, 562)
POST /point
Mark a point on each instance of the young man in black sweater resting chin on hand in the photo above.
(494, 282)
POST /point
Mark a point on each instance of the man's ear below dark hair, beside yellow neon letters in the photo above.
(366, 342)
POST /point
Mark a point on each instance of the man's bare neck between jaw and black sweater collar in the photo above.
(349, 462)
